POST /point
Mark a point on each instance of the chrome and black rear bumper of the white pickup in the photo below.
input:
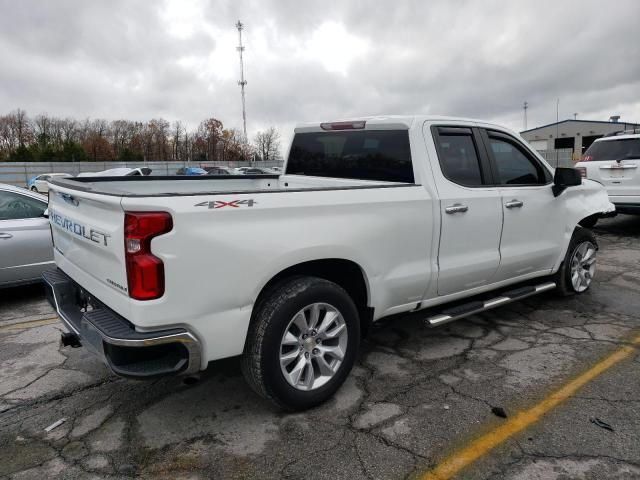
(114, 339)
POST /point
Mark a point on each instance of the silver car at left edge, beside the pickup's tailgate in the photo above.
(25, 236)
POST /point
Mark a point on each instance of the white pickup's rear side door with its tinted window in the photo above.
(470, 209)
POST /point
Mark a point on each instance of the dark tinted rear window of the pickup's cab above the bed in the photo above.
(365, 155)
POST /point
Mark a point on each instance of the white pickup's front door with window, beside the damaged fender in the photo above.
(534, 219)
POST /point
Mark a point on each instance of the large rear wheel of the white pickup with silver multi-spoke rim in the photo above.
(279, 312)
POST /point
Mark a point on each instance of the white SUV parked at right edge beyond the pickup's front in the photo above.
(614, 161)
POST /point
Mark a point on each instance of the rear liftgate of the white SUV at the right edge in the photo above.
(615, 162)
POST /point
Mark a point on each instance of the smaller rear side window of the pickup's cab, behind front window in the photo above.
(459, 156)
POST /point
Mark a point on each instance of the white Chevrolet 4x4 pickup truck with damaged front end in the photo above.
(372, 217)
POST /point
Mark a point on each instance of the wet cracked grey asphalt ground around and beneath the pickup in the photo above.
(415, 396)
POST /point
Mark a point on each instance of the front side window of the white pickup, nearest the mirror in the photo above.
(513, 166)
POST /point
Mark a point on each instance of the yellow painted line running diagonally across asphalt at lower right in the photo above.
(453, 464)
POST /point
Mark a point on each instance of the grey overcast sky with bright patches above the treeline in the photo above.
(308, 61)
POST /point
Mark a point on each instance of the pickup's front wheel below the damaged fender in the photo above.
(563, 278)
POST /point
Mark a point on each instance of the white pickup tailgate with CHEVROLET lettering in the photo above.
(88, 231)
